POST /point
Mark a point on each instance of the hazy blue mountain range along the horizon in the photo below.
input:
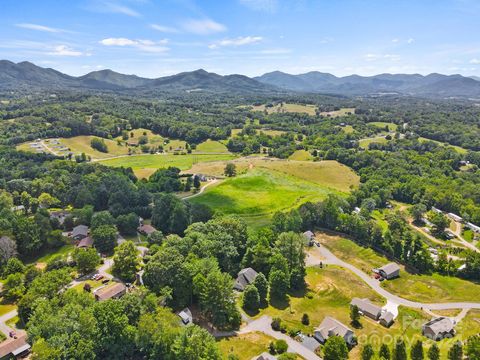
(25, 75)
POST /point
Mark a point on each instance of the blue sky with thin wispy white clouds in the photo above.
(155, 38)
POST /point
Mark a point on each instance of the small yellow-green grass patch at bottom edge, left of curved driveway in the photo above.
(245, 346)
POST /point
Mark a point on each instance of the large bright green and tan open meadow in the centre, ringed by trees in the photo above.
(266, 187)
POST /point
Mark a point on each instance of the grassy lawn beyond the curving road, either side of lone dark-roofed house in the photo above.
(422, 288)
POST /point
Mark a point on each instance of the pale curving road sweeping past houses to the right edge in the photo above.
(330, 258)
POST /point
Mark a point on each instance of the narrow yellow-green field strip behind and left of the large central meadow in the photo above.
(146, 165)
